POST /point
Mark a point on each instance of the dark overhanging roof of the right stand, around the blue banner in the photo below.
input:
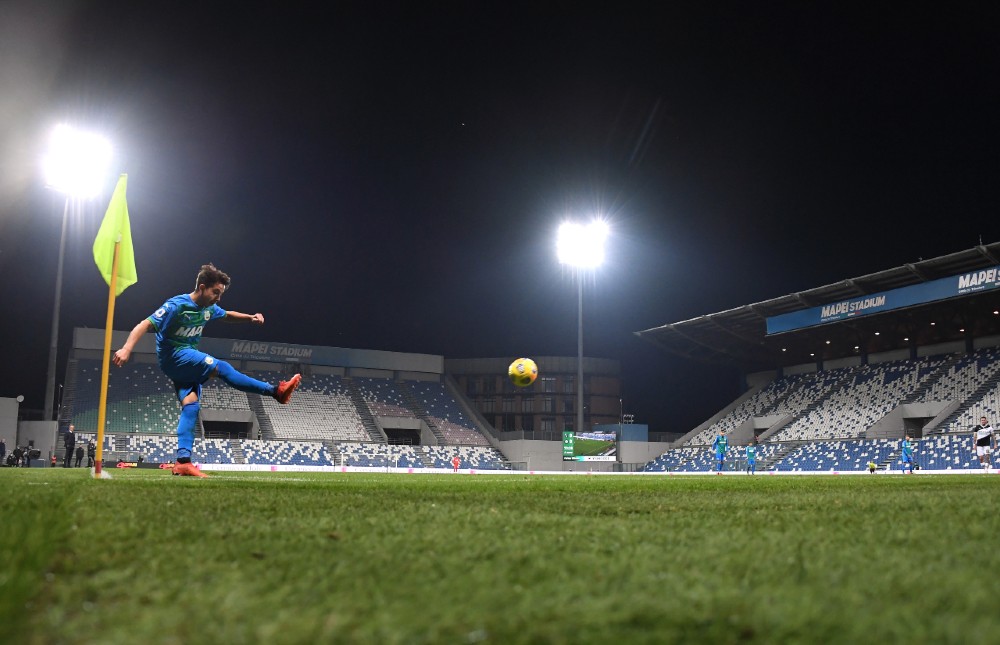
(739, 336)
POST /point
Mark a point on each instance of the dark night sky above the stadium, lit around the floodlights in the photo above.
(390, 176)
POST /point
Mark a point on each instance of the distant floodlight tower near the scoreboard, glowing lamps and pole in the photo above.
(581, 246)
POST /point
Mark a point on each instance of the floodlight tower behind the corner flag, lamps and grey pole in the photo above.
(75, 165)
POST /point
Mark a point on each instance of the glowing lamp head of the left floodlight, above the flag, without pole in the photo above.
(77, 162)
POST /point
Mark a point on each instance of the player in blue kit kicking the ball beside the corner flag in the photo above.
(178, 325)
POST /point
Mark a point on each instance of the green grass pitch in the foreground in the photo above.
(382, 558)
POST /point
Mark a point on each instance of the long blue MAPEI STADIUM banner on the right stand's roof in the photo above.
(875, 303)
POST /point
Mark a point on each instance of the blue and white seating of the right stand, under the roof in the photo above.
(833, 411)
